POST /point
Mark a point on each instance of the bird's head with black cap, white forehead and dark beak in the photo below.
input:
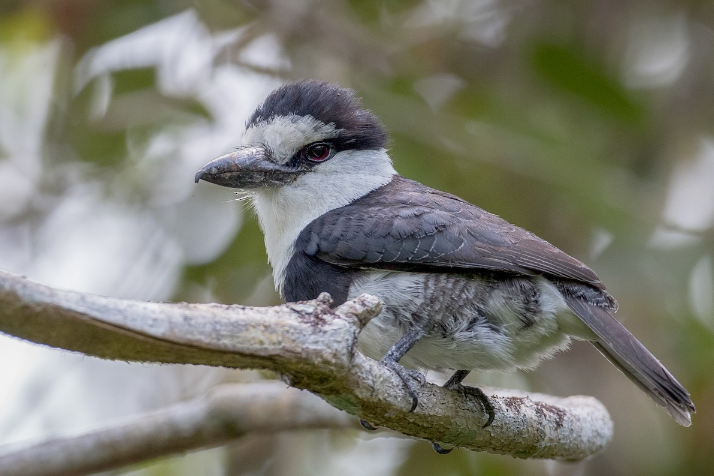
(301, 129)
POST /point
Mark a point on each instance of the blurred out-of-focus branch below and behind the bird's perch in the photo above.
(226, 413)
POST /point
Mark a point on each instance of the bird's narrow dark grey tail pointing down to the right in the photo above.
(637, 363)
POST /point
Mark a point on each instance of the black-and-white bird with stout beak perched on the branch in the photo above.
(462, 289)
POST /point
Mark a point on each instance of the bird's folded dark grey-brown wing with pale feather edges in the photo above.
(408, 226)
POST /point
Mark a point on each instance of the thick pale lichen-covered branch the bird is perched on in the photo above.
(313, 348)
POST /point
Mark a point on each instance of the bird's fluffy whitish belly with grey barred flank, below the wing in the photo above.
(471, 323)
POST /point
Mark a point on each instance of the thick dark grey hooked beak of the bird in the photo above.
(248, 167)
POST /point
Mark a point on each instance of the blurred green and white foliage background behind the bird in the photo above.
(589, 123)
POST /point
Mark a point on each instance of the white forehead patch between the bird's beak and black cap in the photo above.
(285, 135)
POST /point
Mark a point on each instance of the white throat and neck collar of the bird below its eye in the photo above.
(284, 212)
